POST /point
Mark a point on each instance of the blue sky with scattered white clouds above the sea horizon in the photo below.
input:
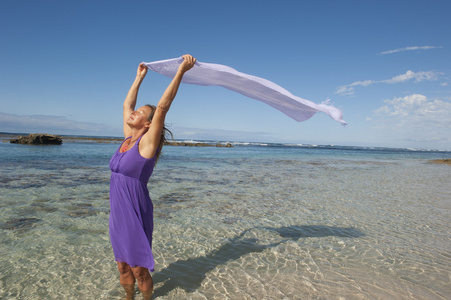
(66, 66)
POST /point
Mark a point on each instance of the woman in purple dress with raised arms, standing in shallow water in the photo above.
(131, 210)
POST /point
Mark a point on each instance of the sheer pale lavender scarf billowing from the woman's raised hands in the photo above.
(257, 88)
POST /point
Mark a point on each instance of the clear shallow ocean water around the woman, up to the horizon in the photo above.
(255, 221)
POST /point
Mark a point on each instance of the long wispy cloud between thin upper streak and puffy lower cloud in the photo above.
(409, 75)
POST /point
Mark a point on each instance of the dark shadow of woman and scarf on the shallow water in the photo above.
(189, 274)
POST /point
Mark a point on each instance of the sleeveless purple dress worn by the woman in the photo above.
(131, 210)
